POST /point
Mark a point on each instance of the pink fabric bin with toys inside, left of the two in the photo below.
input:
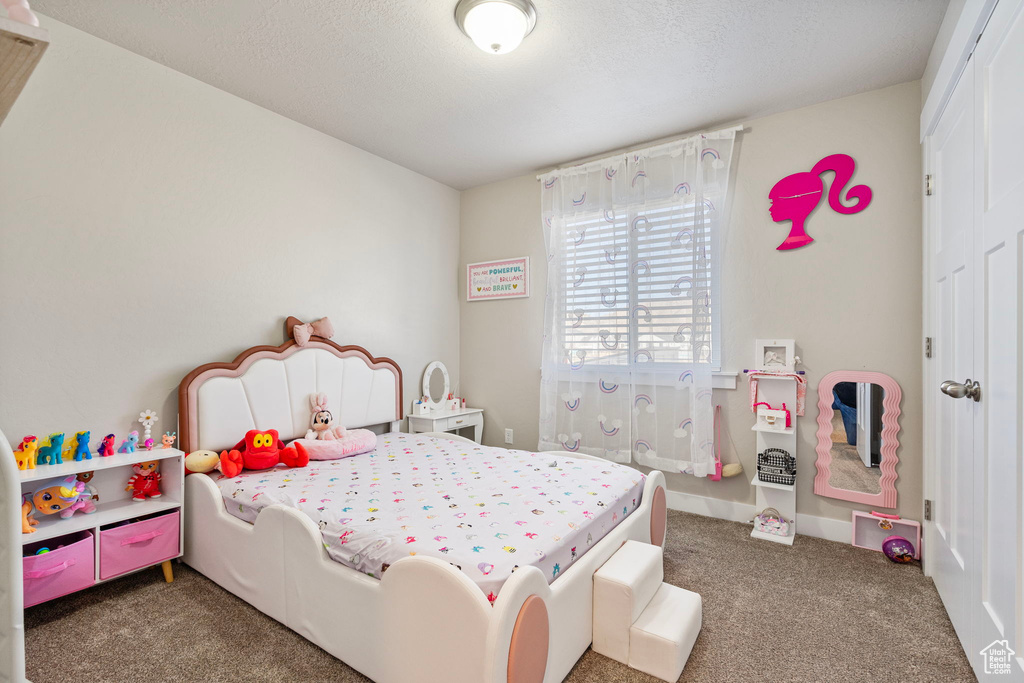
(60, 572)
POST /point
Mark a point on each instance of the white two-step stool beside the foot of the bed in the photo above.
(641, 621)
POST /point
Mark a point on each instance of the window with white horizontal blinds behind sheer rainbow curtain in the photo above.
(636, 286)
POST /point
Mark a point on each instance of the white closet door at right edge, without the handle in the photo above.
(998, 592)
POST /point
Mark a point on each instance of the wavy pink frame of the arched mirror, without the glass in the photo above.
(890, 438)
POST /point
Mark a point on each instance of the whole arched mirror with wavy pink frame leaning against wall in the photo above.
(859, 438)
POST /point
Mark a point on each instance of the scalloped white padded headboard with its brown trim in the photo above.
(269, 388)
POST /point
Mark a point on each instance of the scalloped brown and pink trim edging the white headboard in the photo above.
(190, 386)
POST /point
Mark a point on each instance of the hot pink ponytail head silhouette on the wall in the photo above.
(795, 197)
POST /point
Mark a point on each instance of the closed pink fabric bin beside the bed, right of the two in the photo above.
(134, 546)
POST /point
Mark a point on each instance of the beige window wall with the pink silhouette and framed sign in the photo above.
(851, 301)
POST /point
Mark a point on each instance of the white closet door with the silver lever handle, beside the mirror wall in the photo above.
(952, 304)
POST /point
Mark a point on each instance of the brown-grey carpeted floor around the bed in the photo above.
(817, 612)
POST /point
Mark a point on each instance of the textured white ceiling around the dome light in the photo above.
(398, 78)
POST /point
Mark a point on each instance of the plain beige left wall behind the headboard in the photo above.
(150, 224)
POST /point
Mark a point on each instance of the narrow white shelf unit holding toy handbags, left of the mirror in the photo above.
(776, 356)
